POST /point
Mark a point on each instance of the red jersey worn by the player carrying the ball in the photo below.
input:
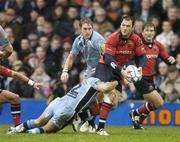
(121, 50)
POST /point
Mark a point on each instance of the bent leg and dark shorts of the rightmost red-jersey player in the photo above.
(153, 99)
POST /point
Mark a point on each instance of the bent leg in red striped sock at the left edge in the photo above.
(14, 100)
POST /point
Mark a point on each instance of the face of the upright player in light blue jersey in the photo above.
(86, 30)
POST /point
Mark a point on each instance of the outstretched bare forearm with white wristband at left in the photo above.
(22, 77)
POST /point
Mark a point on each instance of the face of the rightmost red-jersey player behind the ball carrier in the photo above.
(148, 33)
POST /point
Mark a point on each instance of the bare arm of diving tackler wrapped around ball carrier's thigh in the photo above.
(107, 86)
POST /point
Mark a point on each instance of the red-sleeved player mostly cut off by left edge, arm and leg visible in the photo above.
(12, 98)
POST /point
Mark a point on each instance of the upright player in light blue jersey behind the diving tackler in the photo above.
(90, 44)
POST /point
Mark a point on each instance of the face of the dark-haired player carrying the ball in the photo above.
(126, 27)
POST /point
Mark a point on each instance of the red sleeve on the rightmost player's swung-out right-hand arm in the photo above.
(162, 52)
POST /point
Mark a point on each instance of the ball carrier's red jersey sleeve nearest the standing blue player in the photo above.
(111, 44)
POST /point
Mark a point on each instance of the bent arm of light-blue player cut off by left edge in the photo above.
(7, 48)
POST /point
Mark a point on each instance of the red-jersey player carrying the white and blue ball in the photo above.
(120, 47)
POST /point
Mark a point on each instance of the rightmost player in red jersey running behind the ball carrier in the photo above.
(154, 49)
